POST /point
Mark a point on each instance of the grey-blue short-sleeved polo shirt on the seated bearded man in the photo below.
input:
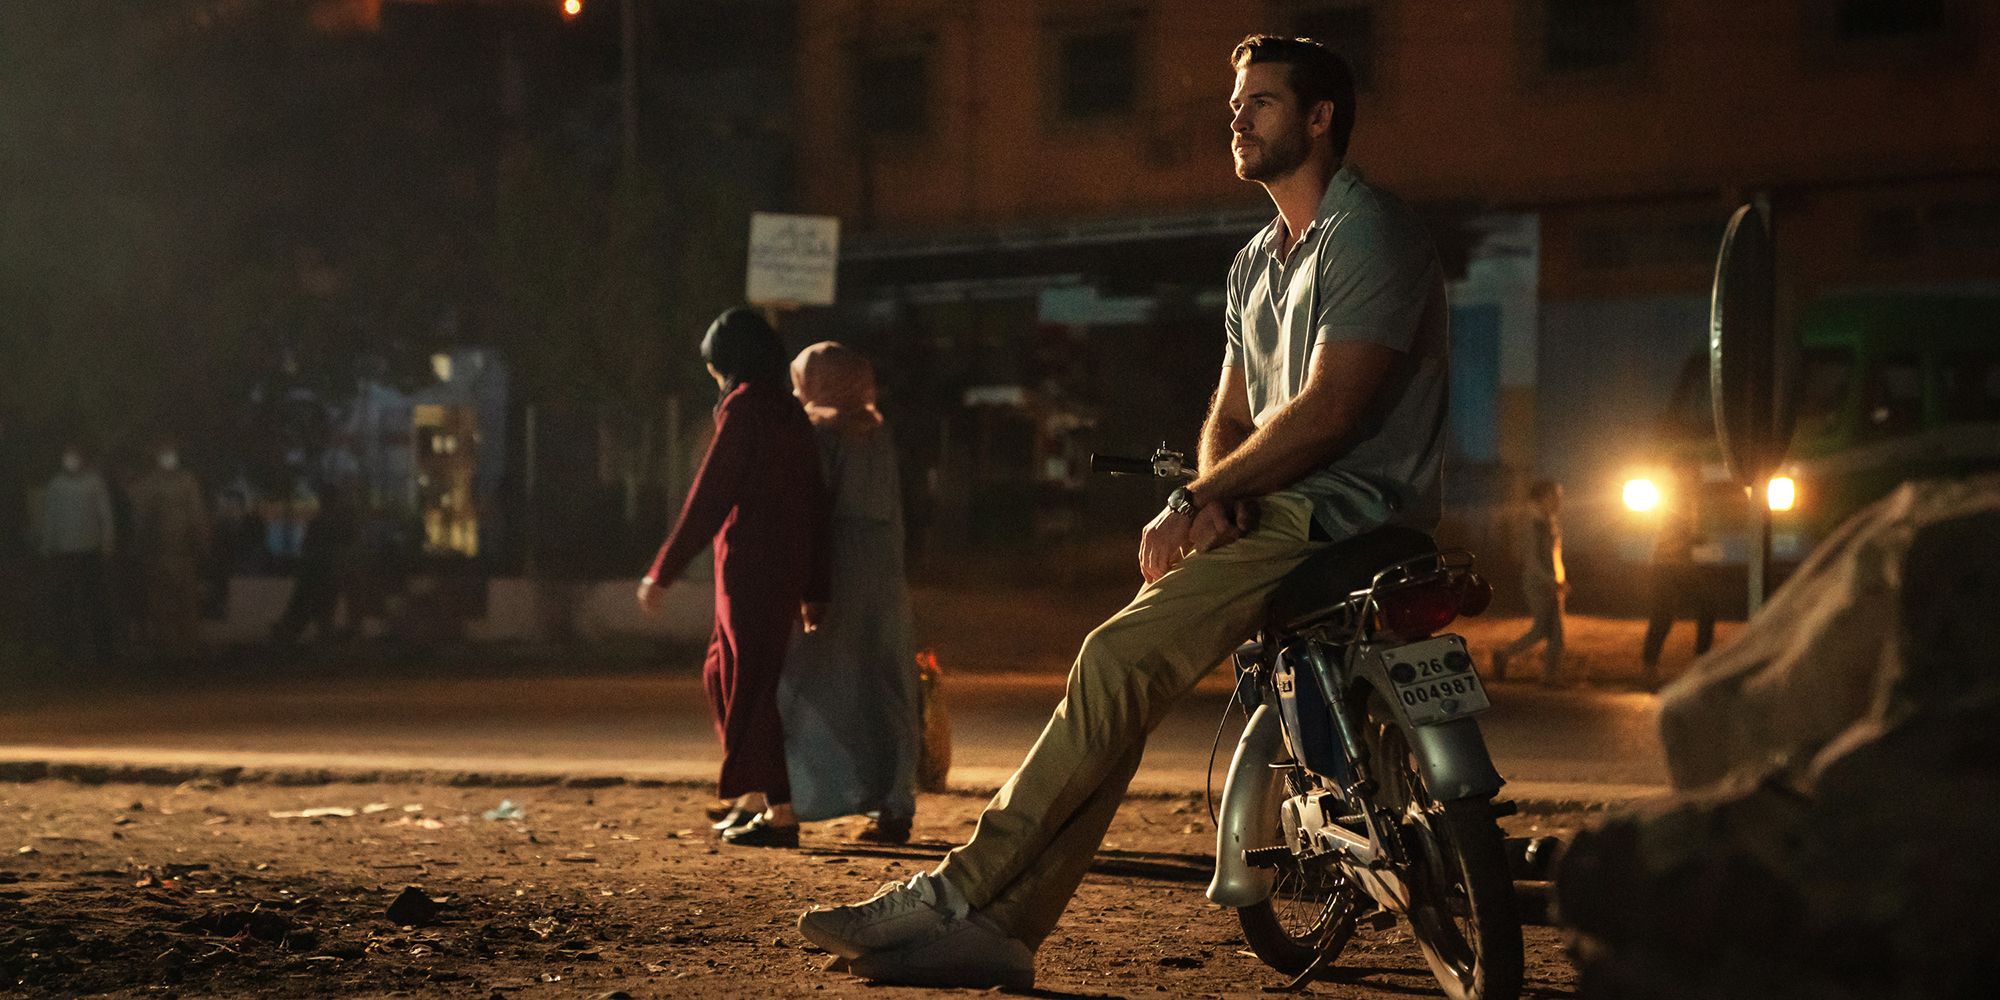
(1365, 271)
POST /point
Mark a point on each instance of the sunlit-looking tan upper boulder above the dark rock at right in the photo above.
(1831, 653)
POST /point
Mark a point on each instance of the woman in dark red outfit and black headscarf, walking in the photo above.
(763, 503)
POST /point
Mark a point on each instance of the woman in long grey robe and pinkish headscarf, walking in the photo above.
(849, 695)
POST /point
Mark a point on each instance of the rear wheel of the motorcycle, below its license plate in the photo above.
(1463, 909)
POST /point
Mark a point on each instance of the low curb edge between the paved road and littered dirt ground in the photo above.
(1529, 797)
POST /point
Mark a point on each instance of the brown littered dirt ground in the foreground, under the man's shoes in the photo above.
(213, 891)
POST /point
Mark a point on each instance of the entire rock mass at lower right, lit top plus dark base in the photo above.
(1839, 771)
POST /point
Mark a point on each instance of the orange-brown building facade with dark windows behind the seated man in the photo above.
(1039, 195)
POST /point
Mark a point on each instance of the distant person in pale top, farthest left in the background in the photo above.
(77, 541)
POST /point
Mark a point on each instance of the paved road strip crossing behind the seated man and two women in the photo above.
(1551, 743)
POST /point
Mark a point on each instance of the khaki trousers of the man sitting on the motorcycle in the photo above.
(1043, 829)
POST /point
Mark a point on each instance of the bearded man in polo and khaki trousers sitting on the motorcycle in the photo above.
(1325, 437)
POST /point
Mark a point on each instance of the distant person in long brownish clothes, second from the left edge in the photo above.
(171, 547)
